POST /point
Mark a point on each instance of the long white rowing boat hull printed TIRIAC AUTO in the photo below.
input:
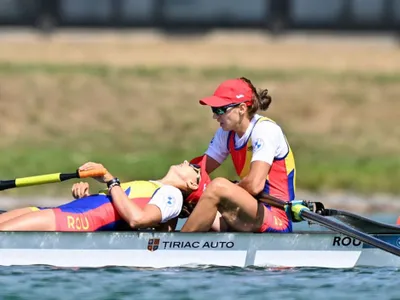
(160, 250)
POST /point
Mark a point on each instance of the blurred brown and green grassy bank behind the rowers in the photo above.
(139, 120)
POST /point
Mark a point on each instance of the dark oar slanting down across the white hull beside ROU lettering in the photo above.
(335, 226)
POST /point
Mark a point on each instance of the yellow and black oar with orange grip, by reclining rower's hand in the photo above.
(48, 178)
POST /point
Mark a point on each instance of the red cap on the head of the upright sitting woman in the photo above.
(231, 91)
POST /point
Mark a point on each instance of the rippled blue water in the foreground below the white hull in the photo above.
(198, 283)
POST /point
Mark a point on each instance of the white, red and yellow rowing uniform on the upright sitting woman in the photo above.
(262, 141)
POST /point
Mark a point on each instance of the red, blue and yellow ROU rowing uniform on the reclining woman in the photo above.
(97, 213)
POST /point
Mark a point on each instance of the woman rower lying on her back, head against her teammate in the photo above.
(131, 205)
